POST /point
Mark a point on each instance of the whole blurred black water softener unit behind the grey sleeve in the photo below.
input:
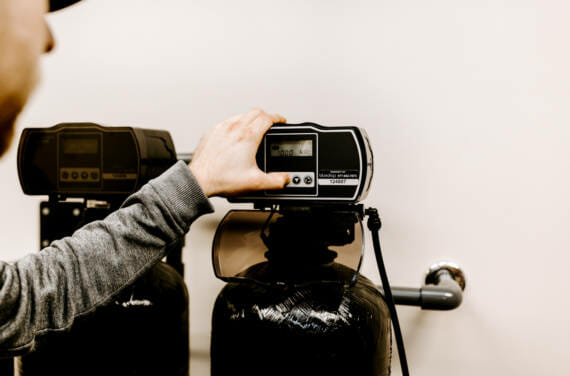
(87, 171)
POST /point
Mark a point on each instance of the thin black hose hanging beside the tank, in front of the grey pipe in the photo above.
(374, 225)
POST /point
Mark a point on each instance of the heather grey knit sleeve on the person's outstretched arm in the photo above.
(46, 291)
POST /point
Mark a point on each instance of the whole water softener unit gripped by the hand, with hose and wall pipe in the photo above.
(295, 302)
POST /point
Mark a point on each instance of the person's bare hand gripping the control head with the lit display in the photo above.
(224, 163)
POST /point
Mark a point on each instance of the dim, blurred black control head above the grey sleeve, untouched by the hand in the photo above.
(88, 160)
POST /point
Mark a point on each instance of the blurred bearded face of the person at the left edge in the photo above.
(24, 37)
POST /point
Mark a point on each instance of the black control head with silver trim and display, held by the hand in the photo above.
(338, 169)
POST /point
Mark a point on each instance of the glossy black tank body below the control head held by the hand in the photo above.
(314, 329)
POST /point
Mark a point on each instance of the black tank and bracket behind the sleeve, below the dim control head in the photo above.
(142, 332)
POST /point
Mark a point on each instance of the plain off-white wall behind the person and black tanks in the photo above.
(467, 106)
